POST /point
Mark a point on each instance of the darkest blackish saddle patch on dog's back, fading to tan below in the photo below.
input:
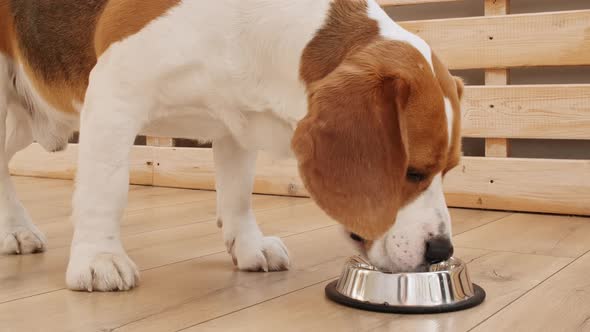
(55, 46)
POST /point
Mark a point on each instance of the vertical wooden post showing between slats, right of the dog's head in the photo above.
(497, 147)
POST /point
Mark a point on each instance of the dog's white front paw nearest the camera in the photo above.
(90, 270)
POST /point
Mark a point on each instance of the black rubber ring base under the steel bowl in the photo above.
(471, 302)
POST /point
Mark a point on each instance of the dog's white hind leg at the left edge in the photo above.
(18, 234)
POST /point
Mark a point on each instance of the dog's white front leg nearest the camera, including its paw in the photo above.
(98, 261)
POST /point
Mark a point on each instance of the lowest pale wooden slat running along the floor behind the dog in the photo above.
(539, 185)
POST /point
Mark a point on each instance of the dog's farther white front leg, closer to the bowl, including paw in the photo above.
(250, 250)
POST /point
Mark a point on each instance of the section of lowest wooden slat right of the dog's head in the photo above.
(540, 185)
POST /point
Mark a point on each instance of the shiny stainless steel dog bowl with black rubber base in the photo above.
(445, 287)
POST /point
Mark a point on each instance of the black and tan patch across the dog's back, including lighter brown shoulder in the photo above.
(55, 40)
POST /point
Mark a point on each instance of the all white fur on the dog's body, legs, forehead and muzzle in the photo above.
(225, 71)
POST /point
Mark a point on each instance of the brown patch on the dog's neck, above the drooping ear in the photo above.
(347, 30)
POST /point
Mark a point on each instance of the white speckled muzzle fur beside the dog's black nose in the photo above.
(402, 248)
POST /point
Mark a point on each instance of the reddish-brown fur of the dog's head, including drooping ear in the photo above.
(378, 113)
